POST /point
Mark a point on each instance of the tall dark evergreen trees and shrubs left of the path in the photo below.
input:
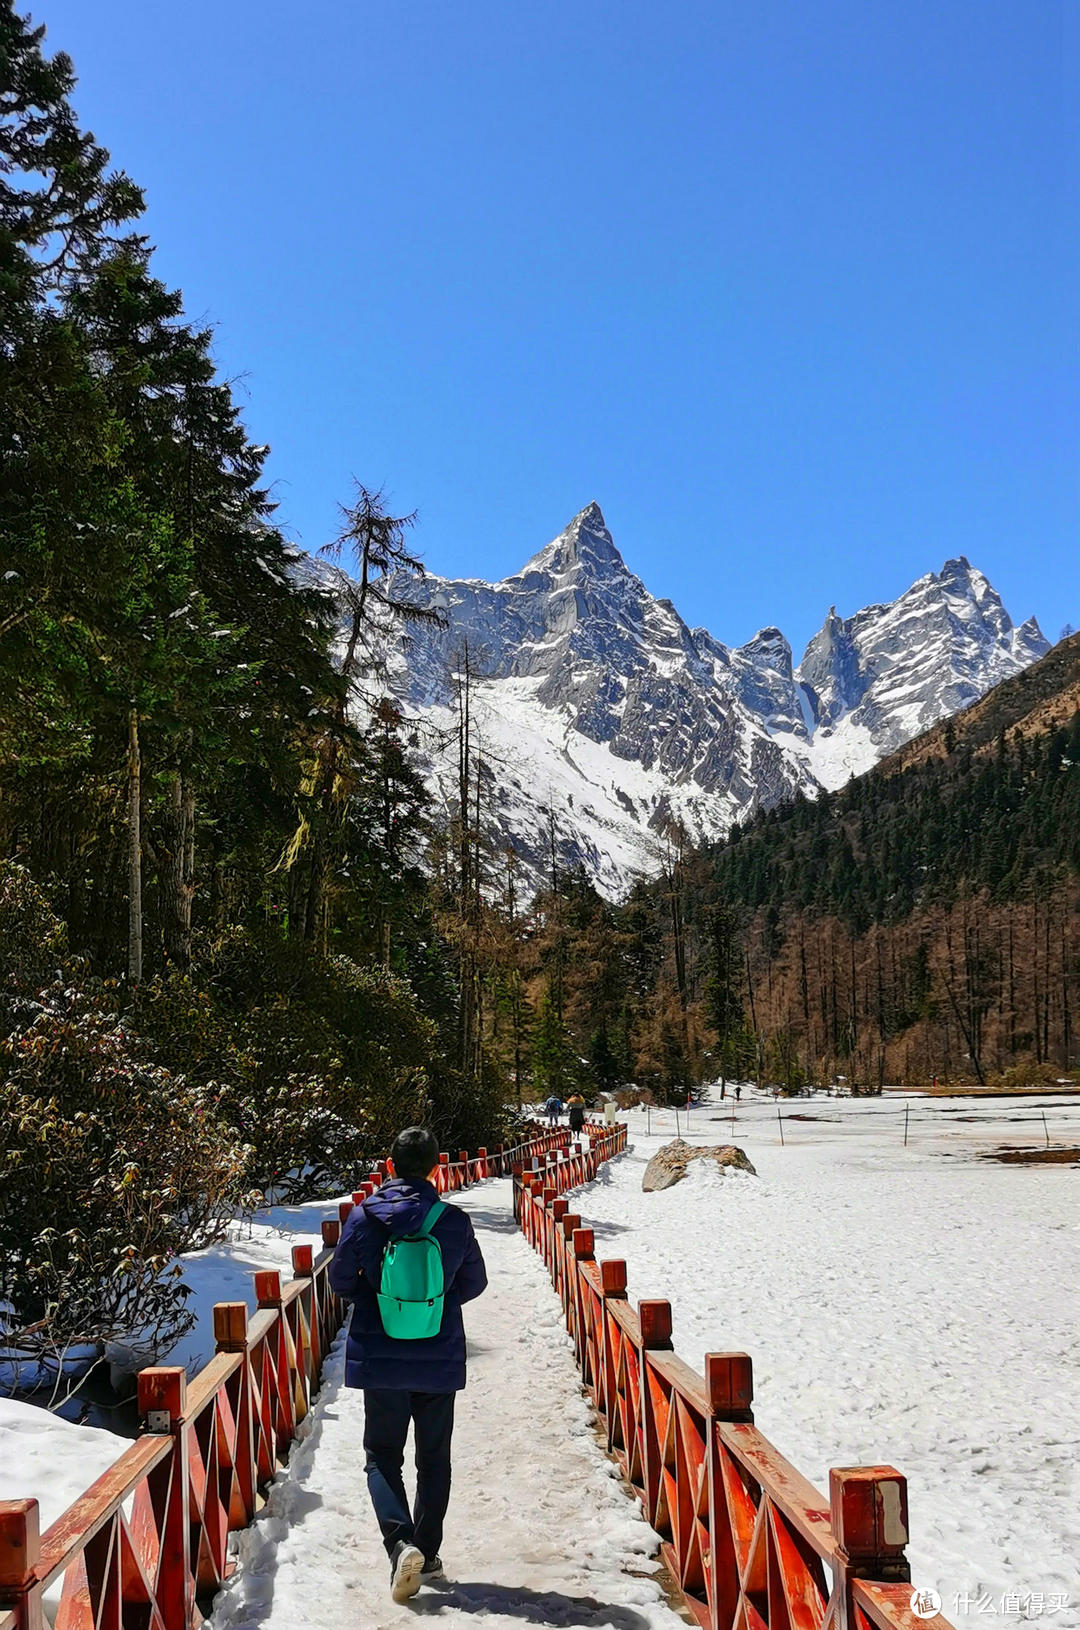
(221, 964)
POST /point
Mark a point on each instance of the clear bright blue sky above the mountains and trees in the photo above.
(789, 286)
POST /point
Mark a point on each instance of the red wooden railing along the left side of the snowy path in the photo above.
(147, 1546)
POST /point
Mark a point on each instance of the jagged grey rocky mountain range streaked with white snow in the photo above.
(595, 707)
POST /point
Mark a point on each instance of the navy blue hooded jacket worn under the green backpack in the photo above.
(372, 1357)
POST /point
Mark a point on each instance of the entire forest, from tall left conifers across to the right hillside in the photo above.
(240, 948)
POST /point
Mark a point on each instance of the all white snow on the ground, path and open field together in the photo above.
(908, 1305)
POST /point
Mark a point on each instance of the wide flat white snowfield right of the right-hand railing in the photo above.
(915, 1306)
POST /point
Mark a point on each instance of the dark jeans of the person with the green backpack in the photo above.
(387, 1416)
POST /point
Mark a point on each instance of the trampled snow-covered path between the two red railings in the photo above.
(540, 1531)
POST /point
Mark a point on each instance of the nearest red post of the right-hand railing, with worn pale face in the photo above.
(869, 1513)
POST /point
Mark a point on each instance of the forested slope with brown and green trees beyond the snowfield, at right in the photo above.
(924, 922)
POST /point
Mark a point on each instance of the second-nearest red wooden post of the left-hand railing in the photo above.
(162, 1394)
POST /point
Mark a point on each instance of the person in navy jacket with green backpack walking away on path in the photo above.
(408, 1262)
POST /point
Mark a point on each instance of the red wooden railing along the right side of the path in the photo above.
(750, 1543)
